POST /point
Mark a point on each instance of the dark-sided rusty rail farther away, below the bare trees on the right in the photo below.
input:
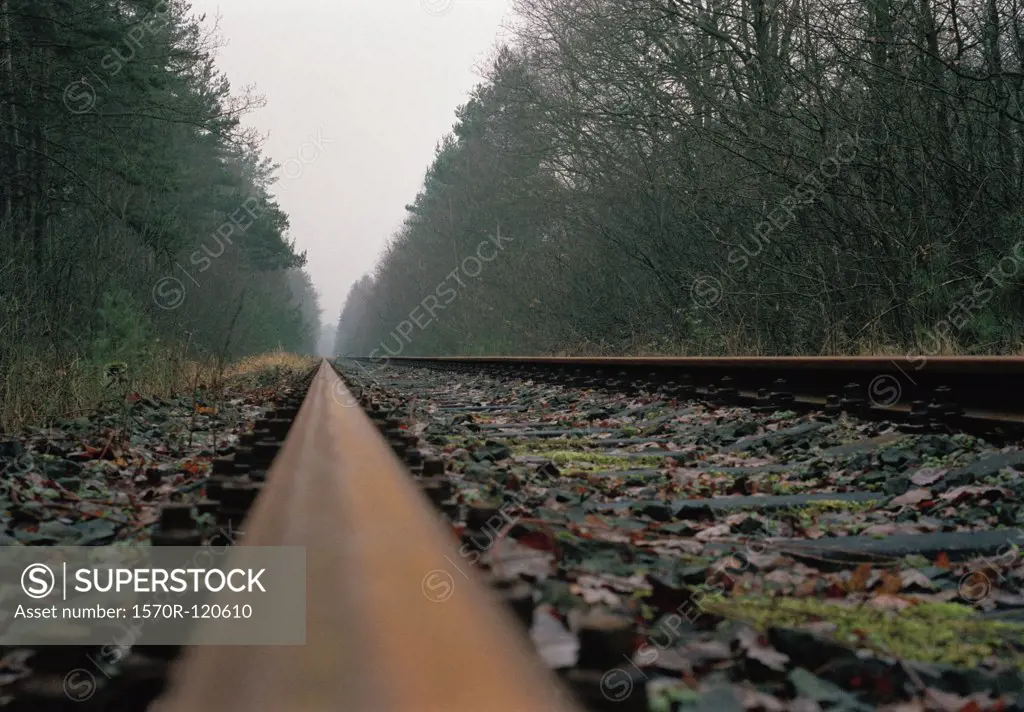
(962, 393)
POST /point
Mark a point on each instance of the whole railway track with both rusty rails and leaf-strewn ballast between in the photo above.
(618, 535)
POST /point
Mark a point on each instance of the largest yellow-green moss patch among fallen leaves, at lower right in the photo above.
(946, 634)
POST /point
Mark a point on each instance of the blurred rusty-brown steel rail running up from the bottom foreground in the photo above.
(374, 642)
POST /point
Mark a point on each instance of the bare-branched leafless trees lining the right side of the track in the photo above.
(720, 177)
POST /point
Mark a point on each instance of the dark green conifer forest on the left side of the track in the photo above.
(139, 231)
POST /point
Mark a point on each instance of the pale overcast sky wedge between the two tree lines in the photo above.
(379, 82)
